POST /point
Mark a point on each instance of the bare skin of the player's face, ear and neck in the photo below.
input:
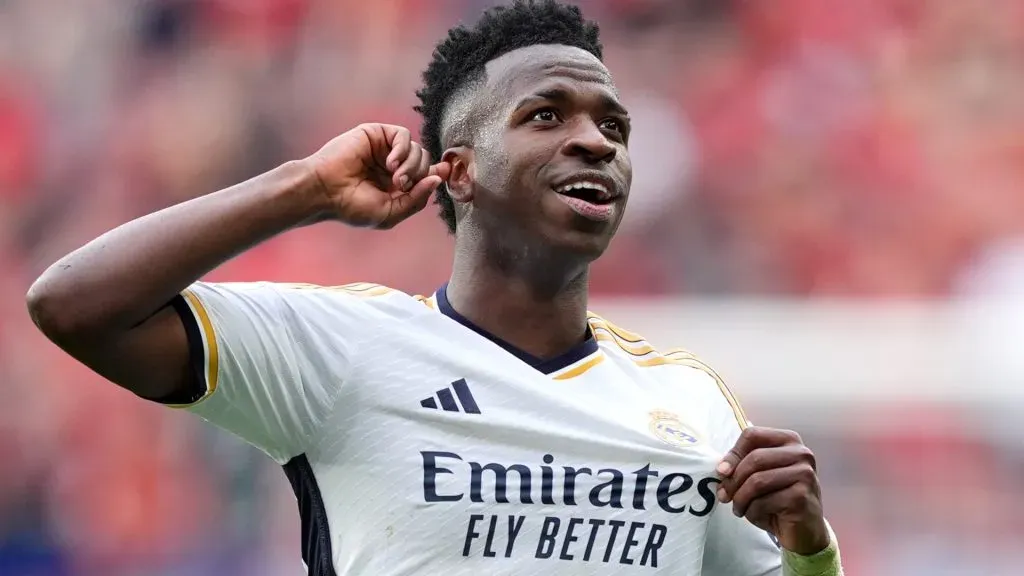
(523, 255)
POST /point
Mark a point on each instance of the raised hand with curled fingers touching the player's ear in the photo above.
(375, 176)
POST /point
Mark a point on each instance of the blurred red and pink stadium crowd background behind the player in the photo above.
(788, 153)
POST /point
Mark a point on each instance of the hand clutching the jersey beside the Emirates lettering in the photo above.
(772, 479)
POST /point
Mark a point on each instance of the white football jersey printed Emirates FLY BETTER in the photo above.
(417, 443)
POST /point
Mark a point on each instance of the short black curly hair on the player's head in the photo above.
(459, 62)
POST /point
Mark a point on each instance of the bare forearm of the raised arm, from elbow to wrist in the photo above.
(123, 277)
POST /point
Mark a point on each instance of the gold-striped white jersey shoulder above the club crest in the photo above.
(677, 364)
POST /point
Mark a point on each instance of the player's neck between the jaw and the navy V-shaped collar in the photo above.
(538, 307)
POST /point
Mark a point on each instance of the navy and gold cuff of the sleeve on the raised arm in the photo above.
(203, 361)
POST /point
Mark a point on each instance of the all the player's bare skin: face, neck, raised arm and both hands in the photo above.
(521, 261)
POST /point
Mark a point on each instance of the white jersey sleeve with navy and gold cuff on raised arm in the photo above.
(270, 360)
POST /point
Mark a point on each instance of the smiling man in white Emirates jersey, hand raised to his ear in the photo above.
(496, 427)
